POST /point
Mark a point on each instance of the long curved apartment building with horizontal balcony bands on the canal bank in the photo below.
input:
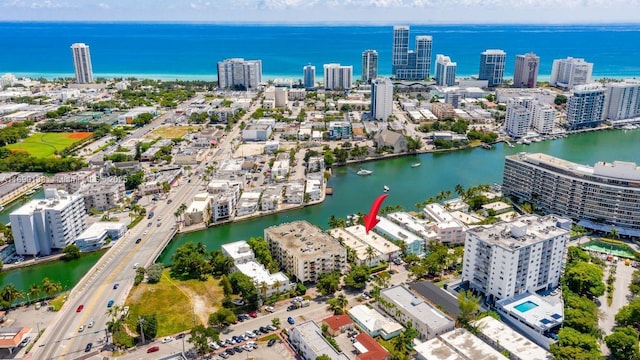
(600, 197)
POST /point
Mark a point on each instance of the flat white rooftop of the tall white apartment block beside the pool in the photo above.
(522, 231)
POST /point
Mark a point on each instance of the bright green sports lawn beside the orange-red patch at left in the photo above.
(43, 145)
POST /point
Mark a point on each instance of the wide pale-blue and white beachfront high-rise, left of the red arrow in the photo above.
(239, 73)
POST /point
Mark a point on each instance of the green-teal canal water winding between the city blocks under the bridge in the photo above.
(408, 186)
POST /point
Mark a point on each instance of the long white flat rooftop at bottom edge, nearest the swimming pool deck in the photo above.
(511, 340)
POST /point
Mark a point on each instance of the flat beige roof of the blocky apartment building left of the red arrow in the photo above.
(303, 238)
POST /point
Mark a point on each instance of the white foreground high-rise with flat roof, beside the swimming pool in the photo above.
(510, 258)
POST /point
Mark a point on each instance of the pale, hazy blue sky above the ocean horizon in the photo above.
(326, 11)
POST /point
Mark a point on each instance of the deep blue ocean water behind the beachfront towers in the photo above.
(191, 51)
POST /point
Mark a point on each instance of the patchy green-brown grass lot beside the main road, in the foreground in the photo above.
(174, 302)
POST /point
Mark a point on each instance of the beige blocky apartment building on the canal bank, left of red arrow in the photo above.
(304, 251)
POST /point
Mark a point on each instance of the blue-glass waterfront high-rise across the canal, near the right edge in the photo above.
(585, 107)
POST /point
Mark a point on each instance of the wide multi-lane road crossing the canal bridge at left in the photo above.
(62, 340)
